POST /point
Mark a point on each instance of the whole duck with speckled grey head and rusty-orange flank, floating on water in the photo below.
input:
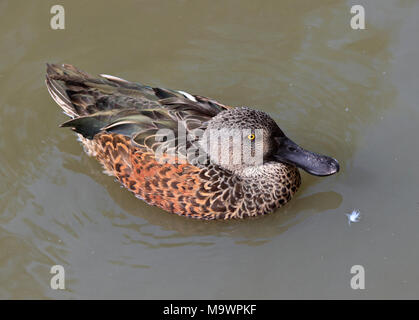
(187, 154)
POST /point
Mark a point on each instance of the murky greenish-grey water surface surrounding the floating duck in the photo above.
(346, 93)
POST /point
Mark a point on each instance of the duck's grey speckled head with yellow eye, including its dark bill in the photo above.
(259, 138)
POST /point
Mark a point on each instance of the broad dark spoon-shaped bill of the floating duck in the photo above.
(315, 164)
